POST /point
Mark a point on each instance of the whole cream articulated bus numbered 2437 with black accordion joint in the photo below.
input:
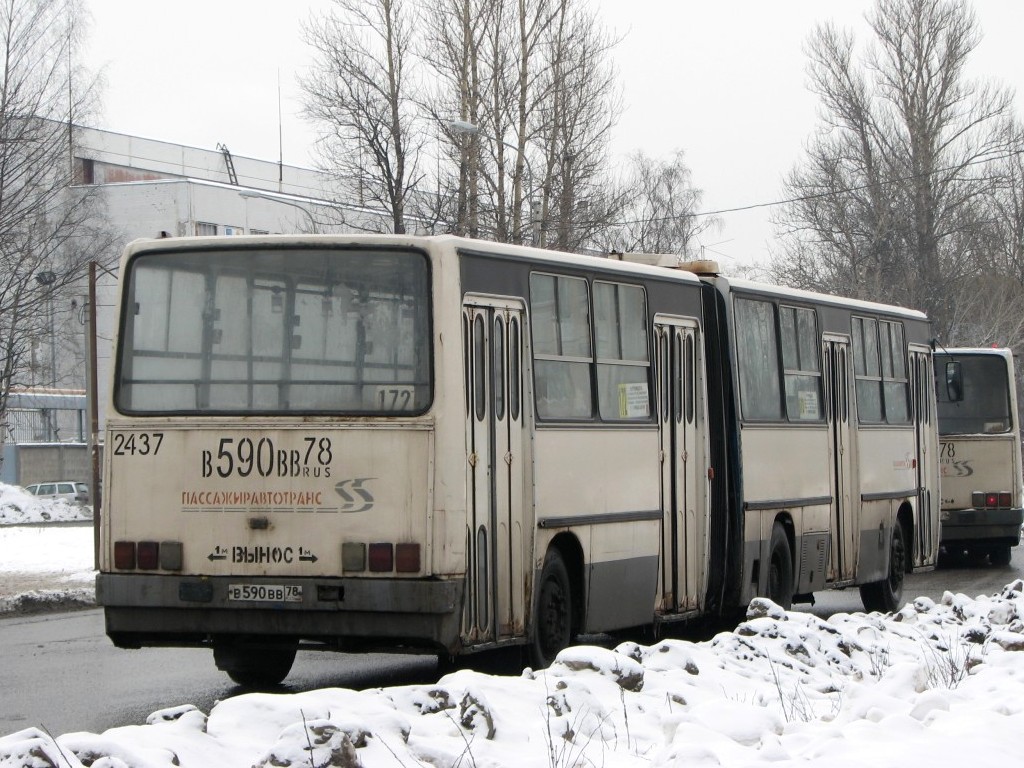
(445, 445)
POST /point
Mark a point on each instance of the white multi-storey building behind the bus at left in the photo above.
(152, 189)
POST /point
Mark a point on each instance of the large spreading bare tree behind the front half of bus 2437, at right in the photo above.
(889, 199)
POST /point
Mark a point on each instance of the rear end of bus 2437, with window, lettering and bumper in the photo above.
(269, 453)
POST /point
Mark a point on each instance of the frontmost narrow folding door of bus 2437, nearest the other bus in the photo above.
(926, 453)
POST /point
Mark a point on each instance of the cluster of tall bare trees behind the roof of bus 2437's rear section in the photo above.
(534, 80)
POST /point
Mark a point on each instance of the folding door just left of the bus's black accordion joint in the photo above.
(685, 518)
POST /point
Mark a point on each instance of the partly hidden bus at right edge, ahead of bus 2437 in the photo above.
(980, 454)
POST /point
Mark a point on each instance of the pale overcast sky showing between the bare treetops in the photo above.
(724, 81)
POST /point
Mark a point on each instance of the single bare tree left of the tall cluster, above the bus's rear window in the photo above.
(361, 95)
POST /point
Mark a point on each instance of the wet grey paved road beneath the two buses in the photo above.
(59, 671)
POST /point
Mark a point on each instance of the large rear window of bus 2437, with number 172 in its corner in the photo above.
(276, 331)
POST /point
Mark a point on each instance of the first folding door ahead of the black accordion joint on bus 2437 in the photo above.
(845, 518)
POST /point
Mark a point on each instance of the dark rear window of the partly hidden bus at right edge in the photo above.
(985, 404)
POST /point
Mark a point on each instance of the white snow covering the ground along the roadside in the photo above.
(934, 685)
